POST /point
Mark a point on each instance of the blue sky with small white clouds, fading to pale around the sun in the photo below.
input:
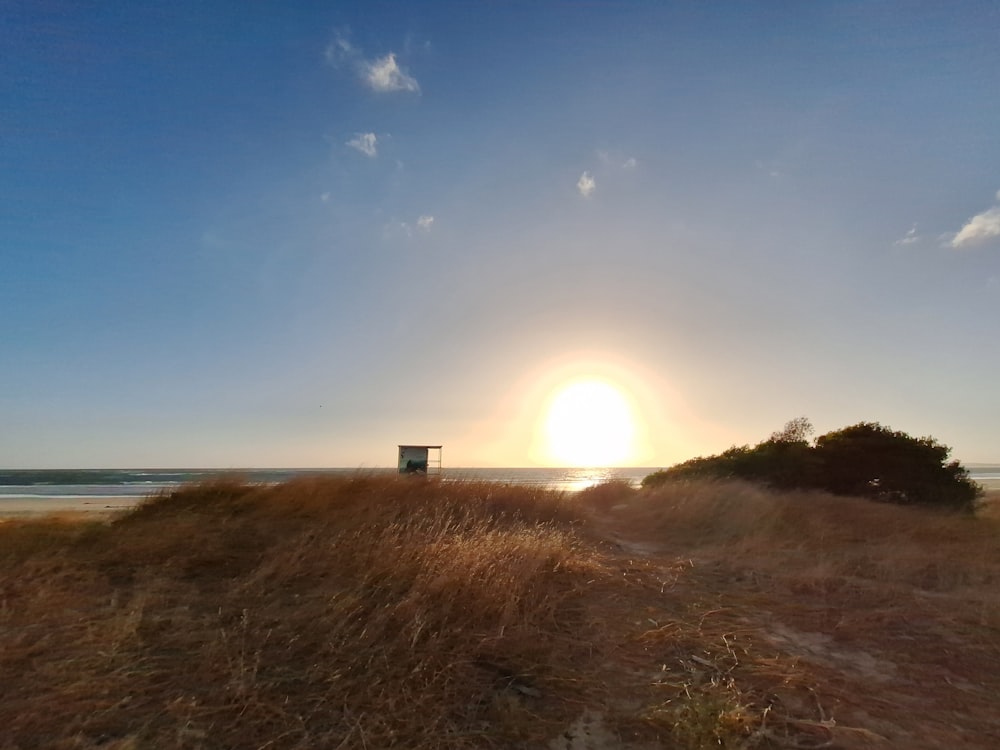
(299, 234)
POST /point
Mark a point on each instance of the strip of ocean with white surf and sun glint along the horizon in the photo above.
(111, 488)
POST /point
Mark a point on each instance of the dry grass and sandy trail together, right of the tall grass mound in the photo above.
(806, 620)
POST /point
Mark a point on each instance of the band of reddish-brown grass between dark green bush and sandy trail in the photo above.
(804, 536)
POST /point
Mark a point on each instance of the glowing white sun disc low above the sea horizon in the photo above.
(588, 423)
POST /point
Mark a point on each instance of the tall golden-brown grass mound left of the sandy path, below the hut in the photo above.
(321, 613)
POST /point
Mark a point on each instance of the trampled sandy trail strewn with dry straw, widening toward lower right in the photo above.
(845, 664)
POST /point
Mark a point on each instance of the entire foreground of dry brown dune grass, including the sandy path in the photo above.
(372, 613)
